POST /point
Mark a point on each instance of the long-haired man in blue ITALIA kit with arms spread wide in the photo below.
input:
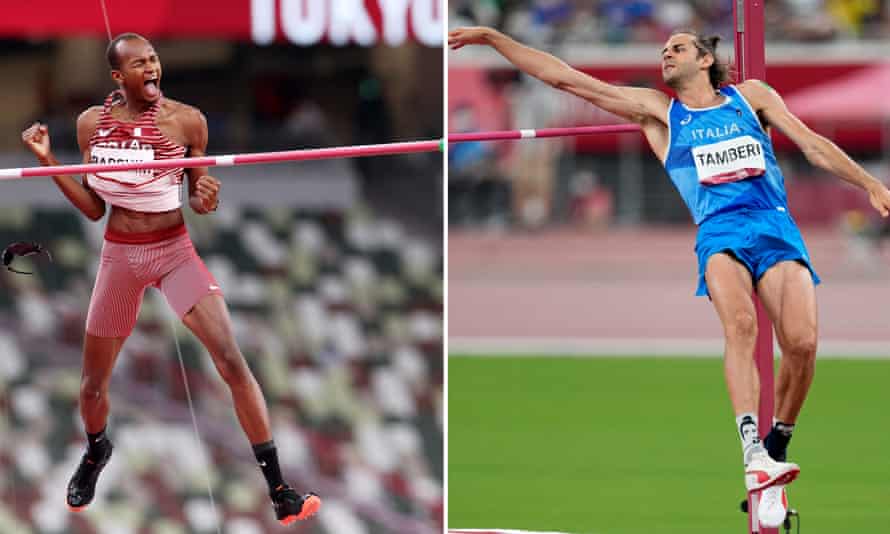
(713, 142)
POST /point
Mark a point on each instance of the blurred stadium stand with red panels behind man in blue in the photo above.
(598, 181)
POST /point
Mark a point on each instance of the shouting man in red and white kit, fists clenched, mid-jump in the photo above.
(147, 244)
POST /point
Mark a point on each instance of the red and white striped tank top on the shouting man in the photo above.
(140, 140)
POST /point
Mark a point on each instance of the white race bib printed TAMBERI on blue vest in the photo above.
(729, 161)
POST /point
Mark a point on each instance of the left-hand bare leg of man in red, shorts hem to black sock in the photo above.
(99, 355)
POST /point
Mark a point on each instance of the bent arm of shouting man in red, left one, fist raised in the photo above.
(36, 138)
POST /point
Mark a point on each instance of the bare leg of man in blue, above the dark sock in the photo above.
(789, 296)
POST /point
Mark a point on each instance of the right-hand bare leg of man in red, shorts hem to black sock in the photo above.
(209, 320)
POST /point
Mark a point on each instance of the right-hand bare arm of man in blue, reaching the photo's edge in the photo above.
(818, 150)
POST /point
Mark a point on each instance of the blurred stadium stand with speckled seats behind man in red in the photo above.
(332, 271)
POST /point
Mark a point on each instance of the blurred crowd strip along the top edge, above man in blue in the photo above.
(540, 22)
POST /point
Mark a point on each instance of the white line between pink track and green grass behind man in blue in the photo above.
(595, 347)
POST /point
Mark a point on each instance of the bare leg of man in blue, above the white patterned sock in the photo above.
(730, 288)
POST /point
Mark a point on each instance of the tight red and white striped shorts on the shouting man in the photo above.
(132, 262)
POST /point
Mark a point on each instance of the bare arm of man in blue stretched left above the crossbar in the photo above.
(636, 104)
